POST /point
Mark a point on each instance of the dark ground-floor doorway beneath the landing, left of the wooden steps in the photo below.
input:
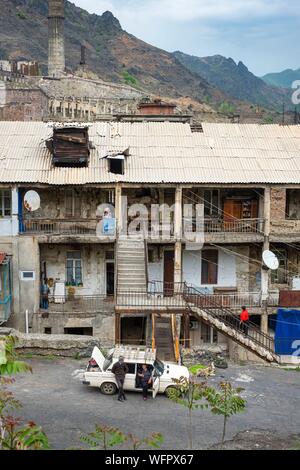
(133, 331)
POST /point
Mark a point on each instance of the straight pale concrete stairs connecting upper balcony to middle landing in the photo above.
(131, 265)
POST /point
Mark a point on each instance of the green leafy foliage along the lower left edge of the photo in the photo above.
(14, 435)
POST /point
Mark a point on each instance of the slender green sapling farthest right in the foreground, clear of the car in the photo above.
(226, 402)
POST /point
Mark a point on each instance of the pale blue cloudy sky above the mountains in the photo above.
(264, 34)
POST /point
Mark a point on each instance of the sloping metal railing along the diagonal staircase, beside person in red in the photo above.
(194, 297)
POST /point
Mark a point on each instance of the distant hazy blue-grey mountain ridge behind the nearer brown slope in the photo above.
(234, 79)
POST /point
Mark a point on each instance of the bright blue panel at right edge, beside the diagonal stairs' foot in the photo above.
(287, 334)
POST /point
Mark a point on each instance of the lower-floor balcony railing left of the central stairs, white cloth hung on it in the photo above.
(77, 304)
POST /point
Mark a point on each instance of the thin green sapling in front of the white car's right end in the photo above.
(189, 394)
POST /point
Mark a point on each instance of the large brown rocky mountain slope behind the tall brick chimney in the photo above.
(111, 52)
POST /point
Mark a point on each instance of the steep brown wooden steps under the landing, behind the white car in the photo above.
(164, 342)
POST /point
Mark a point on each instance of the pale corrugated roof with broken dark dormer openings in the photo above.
(160, 152)
